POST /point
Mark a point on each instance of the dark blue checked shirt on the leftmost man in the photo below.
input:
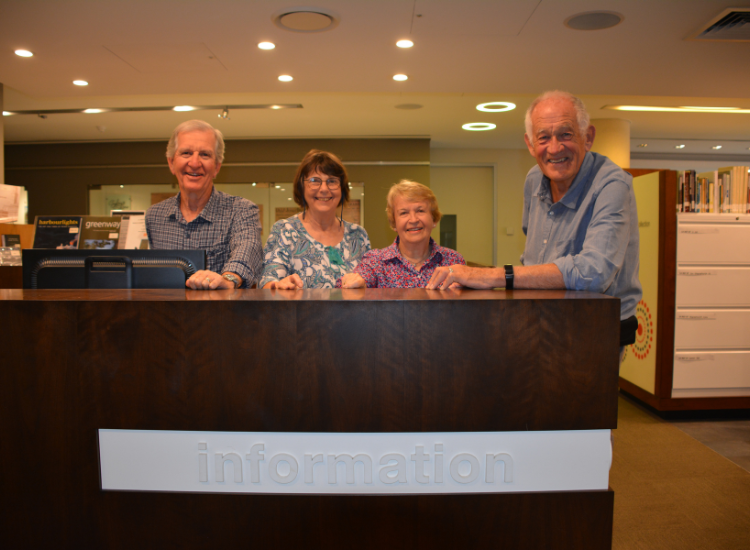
(228, 229)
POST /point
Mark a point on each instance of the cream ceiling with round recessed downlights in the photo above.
(146, 53)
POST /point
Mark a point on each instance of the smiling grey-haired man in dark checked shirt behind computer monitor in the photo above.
(202, 218)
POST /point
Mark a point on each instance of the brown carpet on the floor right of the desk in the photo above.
(673, 492)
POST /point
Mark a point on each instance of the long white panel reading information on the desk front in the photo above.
(362, 463)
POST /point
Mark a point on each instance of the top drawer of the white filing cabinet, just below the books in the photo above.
(713, 243)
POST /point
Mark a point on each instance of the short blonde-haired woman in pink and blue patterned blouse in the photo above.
(409, 262)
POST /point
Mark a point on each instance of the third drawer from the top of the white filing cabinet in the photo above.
(712, 329)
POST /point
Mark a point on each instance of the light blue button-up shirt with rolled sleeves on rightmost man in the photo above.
(591, 234)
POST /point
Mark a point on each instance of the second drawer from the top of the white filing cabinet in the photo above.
(713, 286)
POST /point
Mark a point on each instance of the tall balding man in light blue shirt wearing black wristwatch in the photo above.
(579, 215)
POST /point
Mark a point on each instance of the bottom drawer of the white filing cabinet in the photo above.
(721, 369)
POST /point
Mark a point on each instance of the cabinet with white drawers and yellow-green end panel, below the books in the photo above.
(693, 346)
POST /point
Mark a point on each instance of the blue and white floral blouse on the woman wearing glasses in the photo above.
(290, 249)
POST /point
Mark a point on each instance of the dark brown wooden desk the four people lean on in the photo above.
(74, 362)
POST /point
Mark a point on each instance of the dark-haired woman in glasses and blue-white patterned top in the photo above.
(315, 248)
